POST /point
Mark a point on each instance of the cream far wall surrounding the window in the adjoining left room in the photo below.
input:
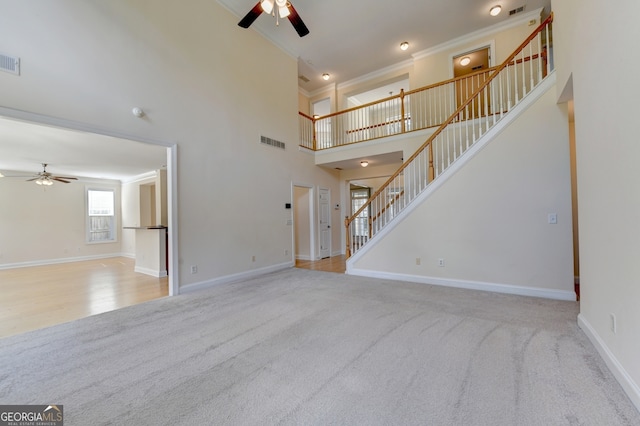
(41, 225)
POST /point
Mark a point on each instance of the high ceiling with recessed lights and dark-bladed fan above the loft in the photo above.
(349, 39)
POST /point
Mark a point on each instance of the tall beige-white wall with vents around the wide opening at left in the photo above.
(92, 61)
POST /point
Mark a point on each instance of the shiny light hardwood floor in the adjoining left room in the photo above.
(41, 296)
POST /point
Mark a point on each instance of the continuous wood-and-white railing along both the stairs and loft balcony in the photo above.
(474, 105)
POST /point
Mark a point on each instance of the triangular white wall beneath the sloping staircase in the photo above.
(489, 222)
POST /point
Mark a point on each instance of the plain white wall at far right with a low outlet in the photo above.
(598, 47)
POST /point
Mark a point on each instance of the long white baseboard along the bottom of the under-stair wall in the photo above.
(470, 285)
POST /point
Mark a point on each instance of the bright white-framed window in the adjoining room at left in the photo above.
(101, 218)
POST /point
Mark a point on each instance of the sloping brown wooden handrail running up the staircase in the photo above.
(465, 104)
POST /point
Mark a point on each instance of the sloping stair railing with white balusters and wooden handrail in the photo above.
(481, 103)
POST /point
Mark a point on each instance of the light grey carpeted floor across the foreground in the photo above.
(306, 347)
